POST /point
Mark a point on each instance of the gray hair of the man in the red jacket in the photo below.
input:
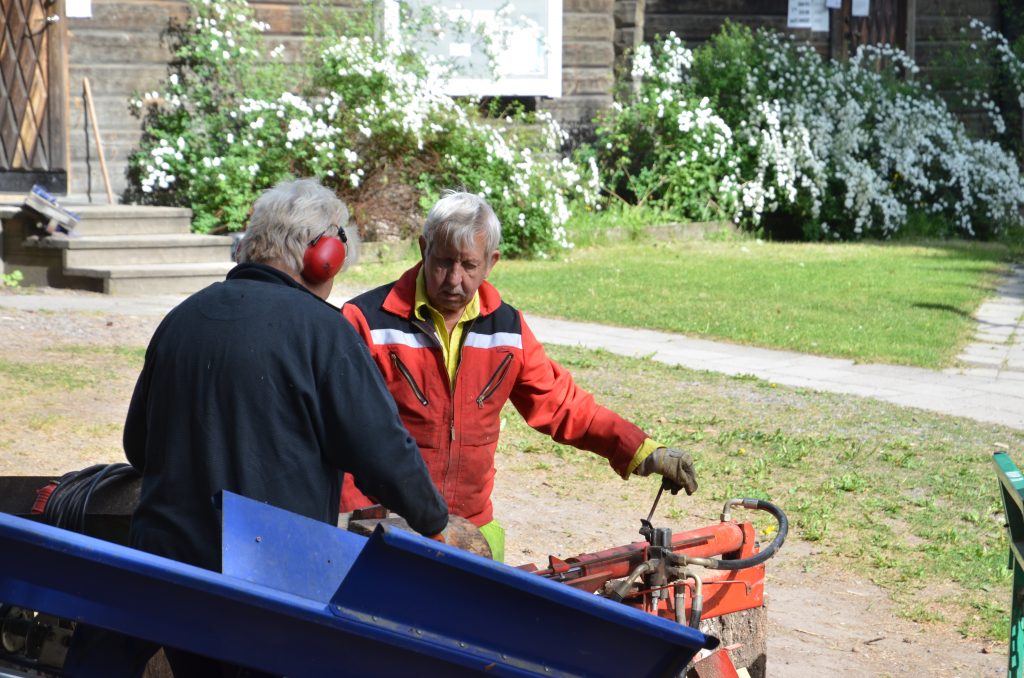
(458, 218)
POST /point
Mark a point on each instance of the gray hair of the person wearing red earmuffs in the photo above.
(286, 219)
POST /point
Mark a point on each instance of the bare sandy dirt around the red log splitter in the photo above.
(821, 623)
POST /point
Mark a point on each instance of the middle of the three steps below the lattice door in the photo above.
(102, 251)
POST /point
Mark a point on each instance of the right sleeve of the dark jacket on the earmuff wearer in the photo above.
(366, 438)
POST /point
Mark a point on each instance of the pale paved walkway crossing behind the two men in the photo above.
(989, 386)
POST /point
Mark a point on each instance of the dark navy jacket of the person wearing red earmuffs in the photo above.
(258, 387)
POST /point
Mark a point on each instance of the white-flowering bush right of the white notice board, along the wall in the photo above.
(799, 147)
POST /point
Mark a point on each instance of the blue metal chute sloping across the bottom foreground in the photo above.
(307, 600)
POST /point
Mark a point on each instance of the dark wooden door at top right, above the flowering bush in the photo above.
(889, 22)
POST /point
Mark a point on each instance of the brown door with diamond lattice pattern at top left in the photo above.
(33, 99)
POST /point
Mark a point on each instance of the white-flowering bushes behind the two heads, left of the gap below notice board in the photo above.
(365, 107)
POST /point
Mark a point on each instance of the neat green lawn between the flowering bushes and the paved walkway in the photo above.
(901, 305)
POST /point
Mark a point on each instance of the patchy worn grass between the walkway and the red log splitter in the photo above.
(906, 498)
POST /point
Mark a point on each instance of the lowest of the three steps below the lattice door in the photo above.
(151, 279)
